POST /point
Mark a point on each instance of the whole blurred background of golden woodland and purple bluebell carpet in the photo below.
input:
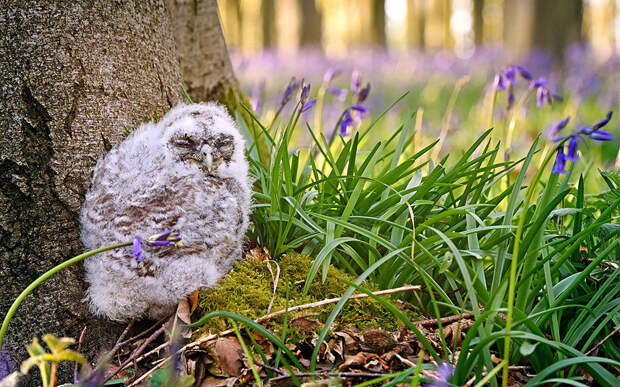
(435, 50)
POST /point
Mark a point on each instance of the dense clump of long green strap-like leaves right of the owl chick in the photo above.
(527, 252)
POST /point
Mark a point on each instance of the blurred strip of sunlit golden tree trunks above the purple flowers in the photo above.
(338, 26)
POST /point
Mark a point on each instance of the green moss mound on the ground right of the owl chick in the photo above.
(247, 290)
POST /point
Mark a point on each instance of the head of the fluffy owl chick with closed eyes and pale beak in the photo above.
(206, 136)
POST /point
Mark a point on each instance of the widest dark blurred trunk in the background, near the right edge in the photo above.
(557, 25)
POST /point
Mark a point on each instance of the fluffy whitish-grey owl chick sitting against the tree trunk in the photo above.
(187, 173)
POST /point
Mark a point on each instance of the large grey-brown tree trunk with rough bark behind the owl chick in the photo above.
(73, 76)
